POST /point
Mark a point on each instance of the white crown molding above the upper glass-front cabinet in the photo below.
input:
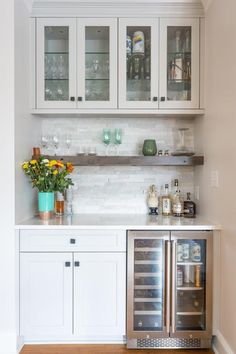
(117, 9)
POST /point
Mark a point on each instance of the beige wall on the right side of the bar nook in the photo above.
(218, 137)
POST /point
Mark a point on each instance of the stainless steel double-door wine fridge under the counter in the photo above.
(169, 292)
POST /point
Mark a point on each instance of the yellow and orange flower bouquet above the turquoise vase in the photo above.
(48, 175)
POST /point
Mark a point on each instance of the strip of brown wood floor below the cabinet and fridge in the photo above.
(102, 349)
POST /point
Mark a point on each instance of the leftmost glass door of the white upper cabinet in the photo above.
(56, 53)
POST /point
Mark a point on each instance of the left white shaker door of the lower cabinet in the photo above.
(45, 295)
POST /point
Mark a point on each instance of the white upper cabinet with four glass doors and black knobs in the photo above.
(120, 65)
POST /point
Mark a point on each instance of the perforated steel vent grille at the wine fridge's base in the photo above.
(169, 343)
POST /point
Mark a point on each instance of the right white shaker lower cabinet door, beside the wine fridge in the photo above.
(99, 296)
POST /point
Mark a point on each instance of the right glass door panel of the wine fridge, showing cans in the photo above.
(191, 306)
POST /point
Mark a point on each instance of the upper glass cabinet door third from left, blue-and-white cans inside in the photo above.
(138, 63)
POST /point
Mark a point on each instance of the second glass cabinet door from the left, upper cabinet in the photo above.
(97, 63)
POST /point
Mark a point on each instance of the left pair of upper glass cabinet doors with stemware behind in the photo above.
(77, 70)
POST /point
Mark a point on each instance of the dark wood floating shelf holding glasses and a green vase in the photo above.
(95, 160)
